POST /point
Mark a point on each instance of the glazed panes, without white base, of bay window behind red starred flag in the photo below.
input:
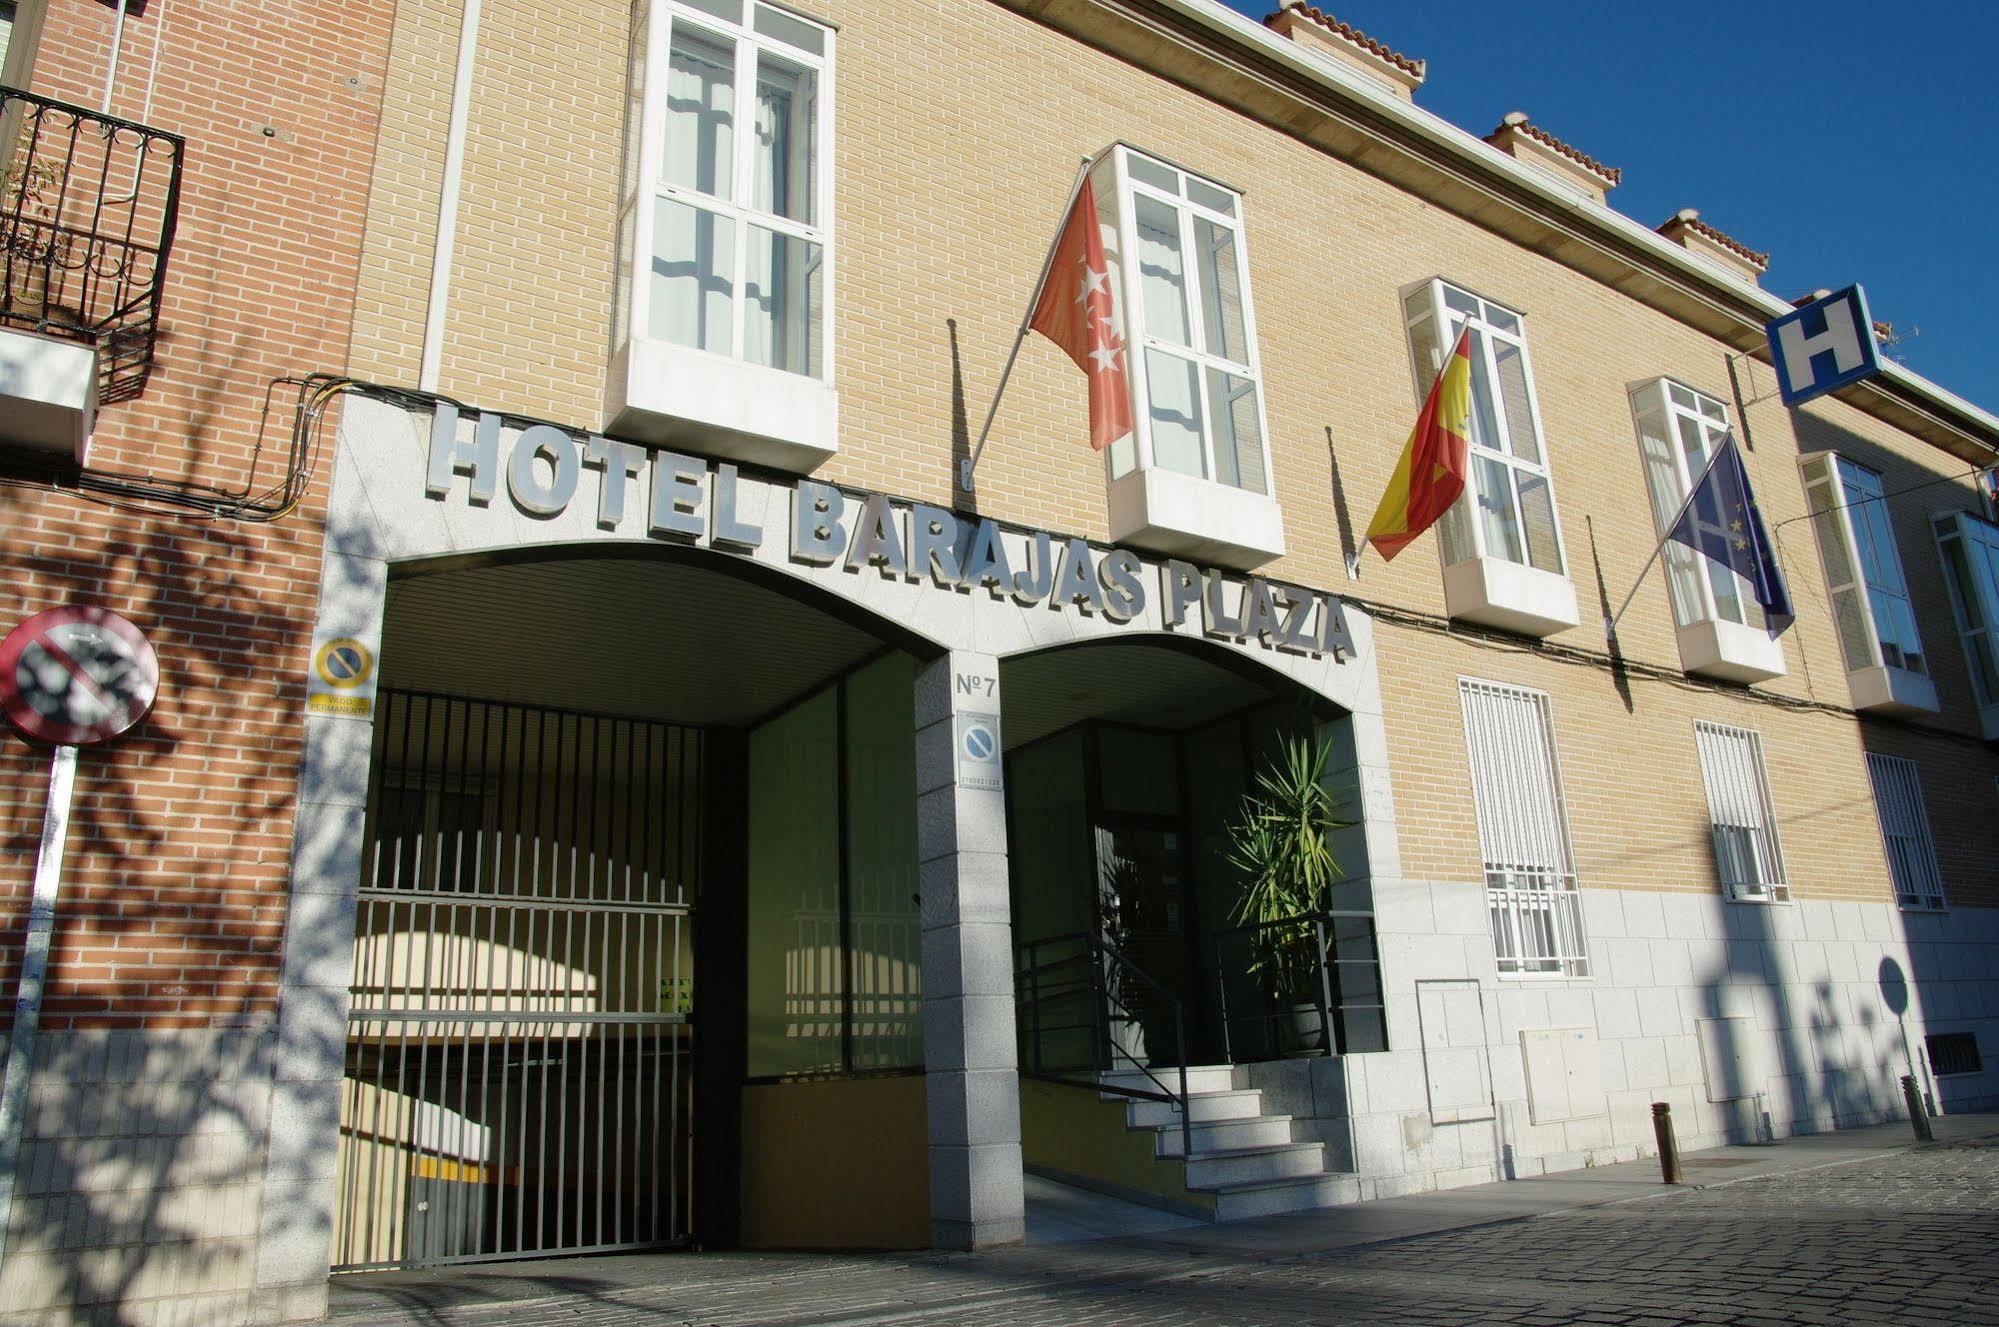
(1194, 361)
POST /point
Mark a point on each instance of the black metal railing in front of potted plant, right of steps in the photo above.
(1344, 986)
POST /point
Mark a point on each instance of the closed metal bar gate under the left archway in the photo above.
(519, 1062)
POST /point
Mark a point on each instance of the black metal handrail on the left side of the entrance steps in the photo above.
(1102, 978)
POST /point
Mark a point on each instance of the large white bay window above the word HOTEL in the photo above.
(725, 297)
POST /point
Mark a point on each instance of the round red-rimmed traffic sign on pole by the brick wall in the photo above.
(77, 676)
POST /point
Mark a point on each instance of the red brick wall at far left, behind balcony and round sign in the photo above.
(173, 908)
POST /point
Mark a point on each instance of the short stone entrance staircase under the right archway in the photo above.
(1246, 1162)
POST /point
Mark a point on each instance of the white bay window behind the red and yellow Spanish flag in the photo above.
(1504, 561)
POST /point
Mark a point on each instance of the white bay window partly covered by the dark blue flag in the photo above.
(1720, 625)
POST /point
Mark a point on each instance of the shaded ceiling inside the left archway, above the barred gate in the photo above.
(613, 635)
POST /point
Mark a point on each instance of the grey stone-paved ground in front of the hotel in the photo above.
(1806, 1234)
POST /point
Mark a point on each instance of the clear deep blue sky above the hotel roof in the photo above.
(1854, 143)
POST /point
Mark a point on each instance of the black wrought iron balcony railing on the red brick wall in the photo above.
(87, 223)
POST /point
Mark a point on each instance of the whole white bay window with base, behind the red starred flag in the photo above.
(1194, 477)
